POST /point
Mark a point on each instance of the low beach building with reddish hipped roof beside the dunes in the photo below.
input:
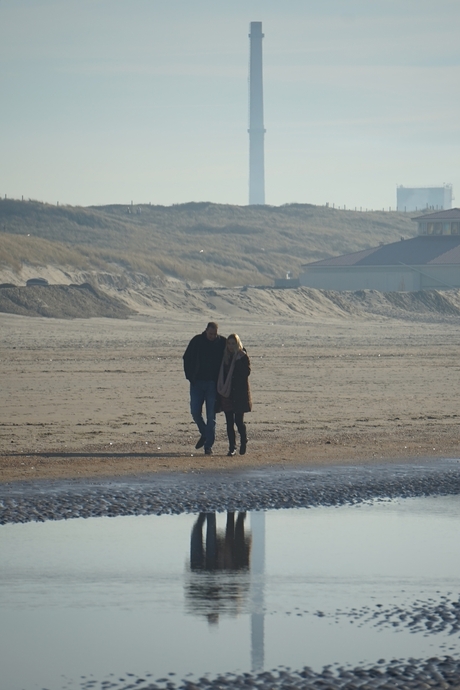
(429, 261)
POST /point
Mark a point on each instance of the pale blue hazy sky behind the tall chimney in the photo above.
(113, 101)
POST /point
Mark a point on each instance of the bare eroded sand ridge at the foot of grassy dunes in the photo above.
(90, 294)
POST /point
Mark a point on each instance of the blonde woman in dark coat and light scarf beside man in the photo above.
(234, 392)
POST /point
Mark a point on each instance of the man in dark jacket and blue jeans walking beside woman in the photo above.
(202, 360)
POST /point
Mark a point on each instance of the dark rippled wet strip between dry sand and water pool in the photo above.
(195, 492)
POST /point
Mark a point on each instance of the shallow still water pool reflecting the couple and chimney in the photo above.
(193, 594)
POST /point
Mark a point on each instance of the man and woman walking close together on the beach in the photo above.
(218, 369)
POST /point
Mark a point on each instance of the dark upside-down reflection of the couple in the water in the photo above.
(219, 564)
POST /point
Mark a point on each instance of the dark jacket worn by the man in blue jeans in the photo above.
(203, 357)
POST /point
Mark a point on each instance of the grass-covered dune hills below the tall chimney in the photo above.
(230, 245)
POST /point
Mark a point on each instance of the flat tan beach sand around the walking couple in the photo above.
(104, 397)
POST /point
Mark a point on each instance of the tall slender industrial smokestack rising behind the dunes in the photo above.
(256, 117)
